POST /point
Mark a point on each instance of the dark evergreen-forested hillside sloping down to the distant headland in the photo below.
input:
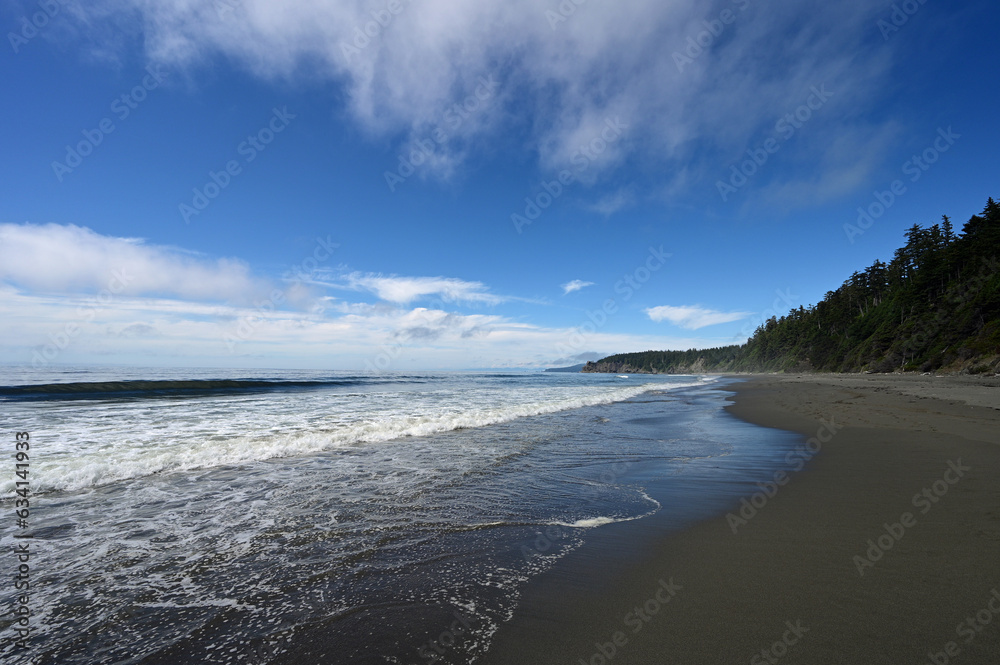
(934, 306)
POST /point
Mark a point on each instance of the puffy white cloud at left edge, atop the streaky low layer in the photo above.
(53, 258)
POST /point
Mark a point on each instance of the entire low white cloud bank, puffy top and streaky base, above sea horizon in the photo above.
(57, 304)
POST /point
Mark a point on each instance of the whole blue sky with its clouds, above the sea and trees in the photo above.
(392, 185)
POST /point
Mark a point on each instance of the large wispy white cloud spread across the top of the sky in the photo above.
(563, 80)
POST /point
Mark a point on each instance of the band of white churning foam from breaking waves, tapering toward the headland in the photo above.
(113, 442)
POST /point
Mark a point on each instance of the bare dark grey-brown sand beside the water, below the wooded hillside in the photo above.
(794, 560)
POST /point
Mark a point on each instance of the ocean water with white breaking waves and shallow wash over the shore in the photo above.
(234, 516)
